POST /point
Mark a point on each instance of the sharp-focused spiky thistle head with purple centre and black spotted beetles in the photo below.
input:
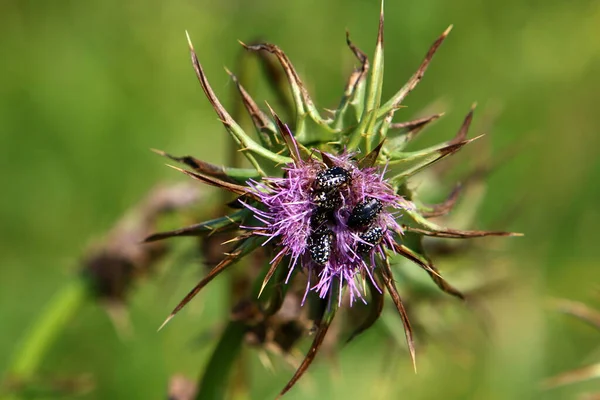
(329, 196)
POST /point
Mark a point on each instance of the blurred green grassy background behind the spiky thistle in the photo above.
(88, 87)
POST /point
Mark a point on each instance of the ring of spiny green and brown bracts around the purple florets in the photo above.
(363, 124)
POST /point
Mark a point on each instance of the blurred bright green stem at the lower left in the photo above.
(43, 333)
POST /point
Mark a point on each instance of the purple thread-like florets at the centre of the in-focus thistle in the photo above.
(288, 211)
